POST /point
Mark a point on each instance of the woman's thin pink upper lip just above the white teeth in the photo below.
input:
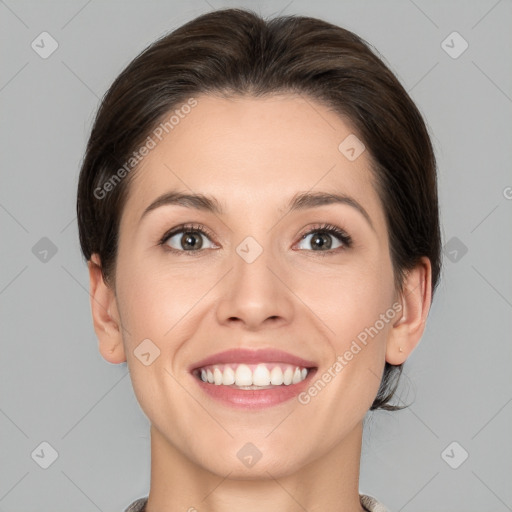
(248, 356)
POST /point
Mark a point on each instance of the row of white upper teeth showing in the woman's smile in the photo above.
(253, 375)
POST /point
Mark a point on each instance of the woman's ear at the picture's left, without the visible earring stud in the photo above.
(105, 314)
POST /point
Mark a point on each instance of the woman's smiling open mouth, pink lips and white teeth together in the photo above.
(245, 379)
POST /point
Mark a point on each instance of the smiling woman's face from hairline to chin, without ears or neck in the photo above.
(262, 272)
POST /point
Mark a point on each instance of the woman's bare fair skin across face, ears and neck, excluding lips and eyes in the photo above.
(254, 155)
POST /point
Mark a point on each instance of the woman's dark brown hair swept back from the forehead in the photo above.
(232, 52)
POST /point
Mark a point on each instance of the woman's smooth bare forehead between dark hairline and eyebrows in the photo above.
(253, 152)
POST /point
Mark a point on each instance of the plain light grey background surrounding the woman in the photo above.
(56, 387)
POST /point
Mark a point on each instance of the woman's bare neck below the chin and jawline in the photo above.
(328, 483)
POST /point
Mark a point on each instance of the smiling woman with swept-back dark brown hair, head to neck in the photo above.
(258, 209)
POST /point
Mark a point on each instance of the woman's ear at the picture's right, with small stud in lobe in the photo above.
(415, 299)
